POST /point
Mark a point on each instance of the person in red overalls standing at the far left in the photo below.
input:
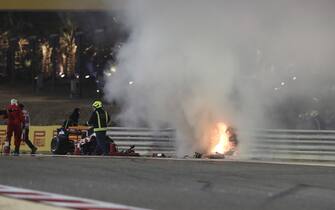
(14, 125)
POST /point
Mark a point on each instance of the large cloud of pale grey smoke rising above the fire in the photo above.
(188, 64)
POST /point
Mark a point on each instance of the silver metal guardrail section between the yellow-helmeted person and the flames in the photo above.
(146, 141)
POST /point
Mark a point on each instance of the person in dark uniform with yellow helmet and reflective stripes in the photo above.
(99, 120)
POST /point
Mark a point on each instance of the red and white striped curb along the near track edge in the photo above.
(60, 200)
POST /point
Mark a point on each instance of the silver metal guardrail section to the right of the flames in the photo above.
(312, 145)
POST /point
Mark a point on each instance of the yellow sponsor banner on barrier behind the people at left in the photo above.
(40, 136)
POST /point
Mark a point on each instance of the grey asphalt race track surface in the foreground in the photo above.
(176, 184)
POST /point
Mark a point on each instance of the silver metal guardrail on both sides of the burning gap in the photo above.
(303, 145)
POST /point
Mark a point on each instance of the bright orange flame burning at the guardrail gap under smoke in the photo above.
(221, 138)
